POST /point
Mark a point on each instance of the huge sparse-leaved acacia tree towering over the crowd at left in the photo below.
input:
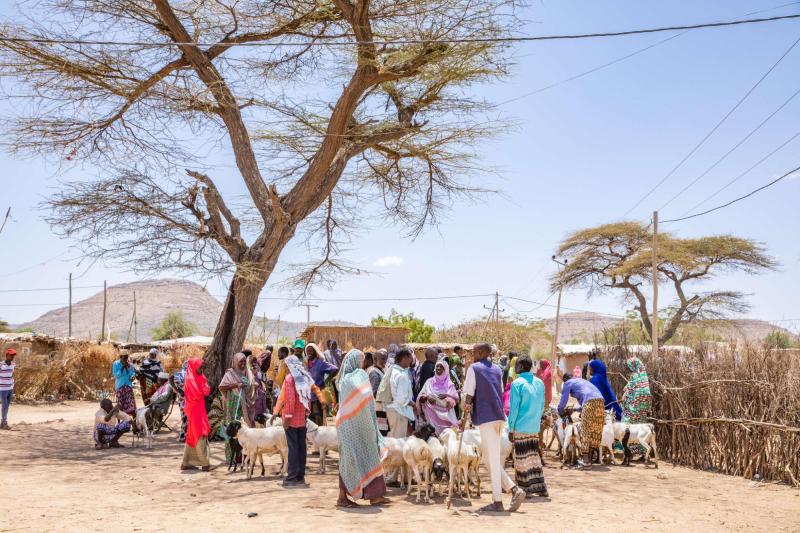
(351, 101)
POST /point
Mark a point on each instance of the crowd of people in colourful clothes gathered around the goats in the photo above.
(386, 393)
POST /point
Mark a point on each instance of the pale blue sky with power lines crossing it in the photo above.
(584, 152)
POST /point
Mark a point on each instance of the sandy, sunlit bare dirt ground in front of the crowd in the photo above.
(53, 480)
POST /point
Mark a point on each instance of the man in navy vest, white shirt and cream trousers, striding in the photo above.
(483, 386)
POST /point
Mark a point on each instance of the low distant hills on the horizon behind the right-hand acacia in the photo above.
(583, 326)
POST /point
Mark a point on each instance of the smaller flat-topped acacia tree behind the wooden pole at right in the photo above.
(618, 257)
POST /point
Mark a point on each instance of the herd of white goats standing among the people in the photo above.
(426, 459)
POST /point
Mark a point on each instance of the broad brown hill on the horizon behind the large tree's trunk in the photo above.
(154, 300)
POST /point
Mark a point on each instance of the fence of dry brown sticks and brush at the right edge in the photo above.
(735, 411)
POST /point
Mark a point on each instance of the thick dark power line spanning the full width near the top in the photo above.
(332, 43)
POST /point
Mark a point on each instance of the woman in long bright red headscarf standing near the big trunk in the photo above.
(195, 452)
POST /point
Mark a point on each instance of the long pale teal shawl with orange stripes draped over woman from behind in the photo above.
(360, 442)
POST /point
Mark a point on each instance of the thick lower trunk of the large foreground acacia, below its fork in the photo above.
(234, 322)
